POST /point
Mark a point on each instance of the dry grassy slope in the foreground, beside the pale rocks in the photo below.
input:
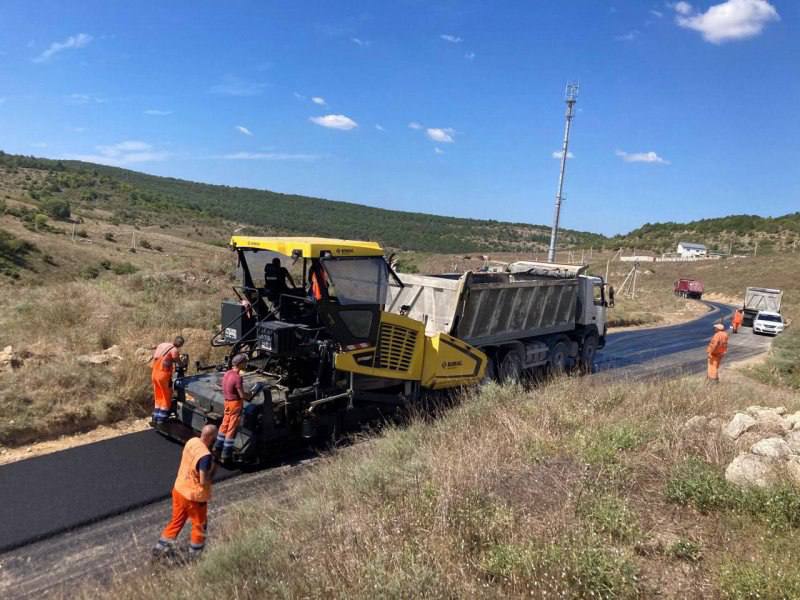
(558, 492)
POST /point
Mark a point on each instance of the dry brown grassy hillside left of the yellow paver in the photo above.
(62, 299)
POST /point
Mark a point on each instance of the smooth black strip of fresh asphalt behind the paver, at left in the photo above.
(46, 495)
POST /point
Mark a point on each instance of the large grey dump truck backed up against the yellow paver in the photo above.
(527, 316)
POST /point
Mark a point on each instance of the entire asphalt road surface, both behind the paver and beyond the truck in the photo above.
(88, 513)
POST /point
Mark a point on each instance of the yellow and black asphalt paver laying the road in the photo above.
(324, 355)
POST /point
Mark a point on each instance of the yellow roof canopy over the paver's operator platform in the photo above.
(307, 247)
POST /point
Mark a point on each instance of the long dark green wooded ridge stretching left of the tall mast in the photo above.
(139, 199)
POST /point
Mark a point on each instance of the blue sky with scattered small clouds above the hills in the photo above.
(685, 111)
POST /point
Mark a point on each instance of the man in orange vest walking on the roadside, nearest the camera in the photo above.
(190, 495)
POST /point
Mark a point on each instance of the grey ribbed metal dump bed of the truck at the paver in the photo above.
(488, 308)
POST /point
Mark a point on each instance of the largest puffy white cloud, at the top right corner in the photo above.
(730, 20)
